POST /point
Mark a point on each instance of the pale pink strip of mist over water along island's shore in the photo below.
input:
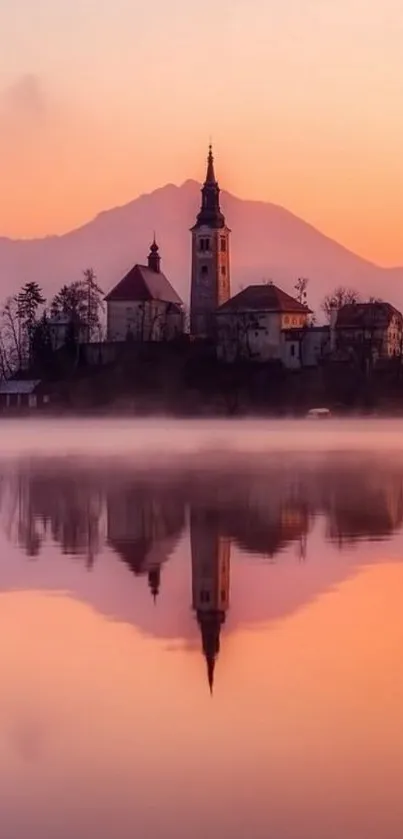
(151, 438)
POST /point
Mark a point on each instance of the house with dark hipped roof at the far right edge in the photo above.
(369, 330)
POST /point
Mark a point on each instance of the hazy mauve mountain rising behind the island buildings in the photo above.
(268, 242)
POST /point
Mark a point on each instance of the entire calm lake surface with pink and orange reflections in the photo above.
(202, 630)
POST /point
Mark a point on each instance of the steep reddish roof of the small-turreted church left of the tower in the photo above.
(141, 284)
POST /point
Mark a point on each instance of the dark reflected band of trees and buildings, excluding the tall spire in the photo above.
(262, 508)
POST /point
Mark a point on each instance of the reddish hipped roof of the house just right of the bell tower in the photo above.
(264, 298)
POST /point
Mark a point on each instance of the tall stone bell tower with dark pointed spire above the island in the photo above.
(210, 286)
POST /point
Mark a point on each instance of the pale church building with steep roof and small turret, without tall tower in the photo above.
(144, 306)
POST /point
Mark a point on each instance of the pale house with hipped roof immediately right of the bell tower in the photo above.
(252, 326)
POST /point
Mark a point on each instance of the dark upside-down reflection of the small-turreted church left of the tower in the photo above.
(143, 524)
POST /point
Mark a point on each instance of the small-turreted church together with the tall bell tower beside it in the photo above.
(144, 305)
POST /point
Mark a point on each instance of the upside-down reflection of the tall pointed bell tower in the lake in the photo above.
(210, 582)
